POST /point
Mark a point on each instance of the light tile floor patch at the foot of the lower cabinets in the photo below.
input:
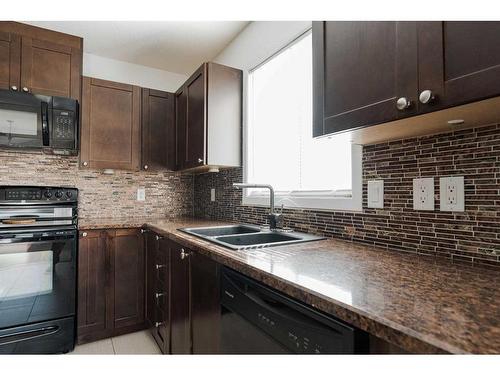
(134, 343)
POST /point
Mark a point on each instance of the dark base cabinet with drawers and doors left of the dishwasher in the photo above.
(183, 297)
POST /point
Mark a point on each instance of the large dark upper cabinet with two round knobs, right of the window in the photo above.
(367, 73)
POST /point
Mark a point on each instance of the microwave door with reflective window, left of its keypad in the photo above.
(23, 120)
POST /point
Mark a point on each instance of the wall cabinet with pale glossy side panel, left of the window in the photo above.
(208, 118)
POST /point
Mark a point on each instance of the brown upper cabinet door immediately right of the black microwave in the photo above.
(110, 134)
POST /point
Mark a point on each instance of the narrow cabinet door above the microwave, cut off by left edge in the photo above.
(10, 60)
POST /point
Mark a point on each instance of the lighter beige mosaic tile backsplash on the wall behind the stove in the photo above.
(168, 194)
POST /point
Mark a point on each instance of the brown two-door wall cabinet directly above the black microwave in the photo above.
(40, 61)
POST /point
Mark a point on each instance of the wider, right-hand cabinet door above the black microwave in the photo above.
(50, 69)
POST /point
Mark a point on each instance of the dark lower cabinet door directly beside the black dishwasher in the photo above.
(205, 304)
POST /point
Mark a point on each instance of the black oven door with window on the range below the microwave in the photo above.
(37, 276)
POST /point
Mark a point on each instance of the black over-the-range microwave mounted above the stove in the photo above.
(42, 122)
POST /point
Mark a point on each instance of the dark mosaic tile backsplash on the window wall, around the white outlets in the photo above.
(472, 236)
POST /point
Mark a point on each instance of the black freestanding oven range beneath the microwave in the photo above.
(38, 269)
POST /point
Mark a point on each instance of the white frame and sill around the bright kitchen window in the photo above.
(315, 200)
